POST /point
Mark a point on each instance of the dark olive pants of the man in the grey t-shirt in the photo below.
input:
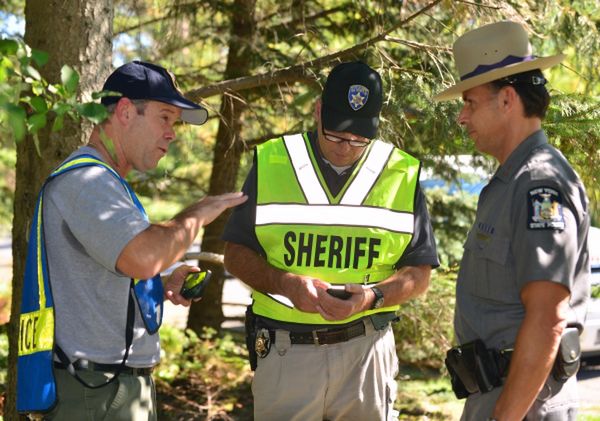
(129, 398)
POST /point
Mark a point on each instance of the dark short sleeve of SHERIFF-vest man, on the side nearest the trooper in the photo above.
(422, 249)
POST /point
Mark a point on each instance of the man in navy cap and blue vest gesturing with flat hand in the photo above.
(92, 302)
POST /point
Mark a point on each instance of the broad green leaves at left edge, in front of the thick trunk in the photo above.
(27, 103)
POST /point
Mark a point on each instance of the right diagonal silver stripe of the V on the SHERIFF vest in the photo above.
(371, 168)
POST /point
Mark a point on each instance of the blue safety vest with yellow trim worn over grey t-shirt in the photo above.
(36, 388)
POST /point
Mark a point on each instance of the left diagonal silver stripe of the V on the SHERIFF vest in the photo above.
(307, 178)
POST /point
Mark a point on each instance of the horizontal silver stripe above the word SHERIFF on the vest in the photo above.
(356, 216)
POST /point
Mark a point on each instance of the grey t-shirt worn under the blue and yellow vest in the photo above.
(88, 219)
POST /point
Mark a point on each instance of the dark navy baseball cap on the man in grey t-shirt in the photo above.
(141, 80)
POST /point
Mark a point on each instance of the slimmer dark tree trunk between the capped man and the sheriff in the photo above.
(226, 160)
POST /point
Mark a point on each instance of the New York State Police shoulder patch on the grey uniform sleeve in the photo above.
(545, 209)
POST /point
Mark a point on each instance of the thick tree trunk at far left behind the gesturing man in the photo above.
(77, 33)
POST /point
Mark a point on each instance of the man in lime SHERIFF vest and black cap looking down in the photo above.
(330, 209)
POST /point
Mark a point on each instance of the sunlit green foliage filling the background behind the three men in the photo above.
(295, 45)
